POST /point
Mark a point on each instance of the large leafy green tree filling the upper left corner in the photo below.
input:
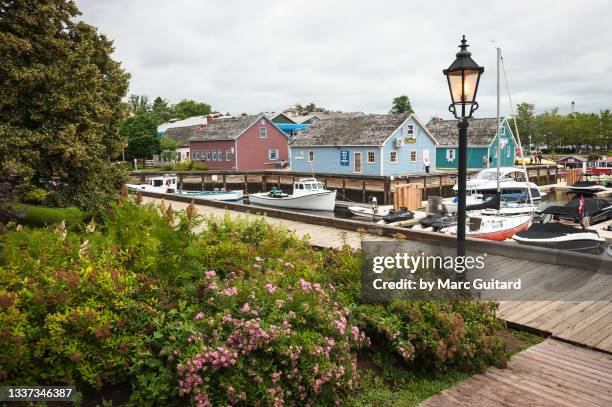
(60, 102)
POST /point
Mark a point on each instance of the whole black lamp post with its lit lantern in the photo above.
(463, 77)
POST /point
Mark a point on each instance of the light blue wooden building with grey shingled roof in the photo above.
(368, 145)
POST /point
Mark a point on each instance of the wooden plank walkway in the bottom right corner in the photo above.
(551, 373)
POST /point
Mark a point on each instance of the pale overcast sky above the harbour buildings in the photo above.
(254, 56)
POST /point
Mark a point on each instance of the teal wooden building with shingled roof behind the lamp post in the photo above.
(482, 143)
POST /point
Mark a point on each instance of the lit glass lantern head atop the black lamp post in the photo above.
(463, 78)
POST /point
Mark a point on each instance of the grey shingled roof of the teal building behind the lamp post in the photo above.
(480, 132)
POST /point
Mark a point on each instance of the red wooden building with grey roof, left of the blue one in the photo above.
(240, 143)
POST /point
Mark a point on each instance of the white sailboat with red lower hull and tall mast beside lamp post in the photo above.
(491, 219)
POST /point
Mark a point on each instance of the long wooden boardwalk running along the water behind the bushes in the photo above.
(580, 312)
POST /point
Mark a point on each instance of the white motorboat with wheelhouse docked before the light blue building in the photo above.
(308, 194)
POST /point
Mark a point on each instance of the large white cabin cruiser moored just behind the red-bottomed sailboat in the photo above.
(512, 180)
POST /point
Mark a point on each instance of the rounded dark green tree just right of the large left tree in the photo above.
(141, 133)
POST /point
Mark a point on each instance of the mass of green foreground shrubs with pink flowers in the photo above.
(240, 313)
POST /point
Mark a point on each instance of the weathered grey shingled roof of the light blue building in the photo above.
(367, 130)
